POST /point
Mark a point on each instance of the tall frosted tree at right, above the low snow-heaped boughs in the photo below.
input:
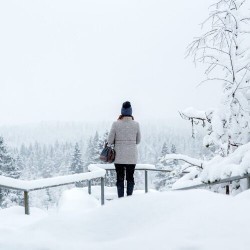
(224, 48)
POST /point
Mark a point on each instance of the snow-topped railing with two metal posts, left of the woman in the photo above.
(32, 185)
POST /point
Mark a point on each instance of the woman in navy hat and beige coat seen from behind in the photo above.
(125, 135)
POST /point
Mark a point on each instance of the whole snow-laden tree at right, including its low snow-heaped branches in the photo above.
(224, 48)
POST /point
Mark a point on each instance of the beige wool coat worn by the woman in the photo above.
(125, 135)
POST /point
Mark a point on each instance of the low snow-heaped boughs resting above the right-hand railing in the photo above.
(218, 170)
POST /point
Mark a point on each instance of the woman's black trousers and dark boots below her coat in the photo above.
(120, 174)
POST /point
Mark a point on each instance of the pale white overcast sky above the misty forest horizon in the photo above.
(80, 59)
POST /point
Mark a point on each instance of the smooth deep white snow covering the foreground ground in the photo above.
(179, 220)
